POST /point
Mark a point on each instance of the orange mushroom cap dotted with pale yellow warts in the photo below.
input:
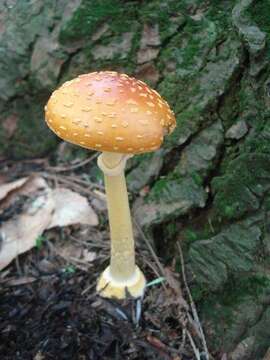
(108, 111)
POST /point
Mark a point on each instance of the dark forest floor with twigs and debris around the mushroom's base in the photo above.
(49, 308)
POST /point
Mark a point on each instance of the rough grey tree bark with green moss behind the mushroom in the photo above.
(209, 185)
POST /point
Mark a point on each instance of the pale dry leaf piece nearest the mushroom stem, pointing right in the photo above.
(71, 208)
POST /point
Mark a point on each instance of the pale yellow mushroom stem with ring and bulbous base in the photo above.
(122, 276)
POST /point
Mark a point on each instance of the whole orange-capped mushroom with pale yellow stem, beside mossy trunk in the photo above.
(119, 116)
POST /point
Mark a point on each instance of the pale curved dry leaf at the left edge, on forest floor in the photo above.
(19, 234)
